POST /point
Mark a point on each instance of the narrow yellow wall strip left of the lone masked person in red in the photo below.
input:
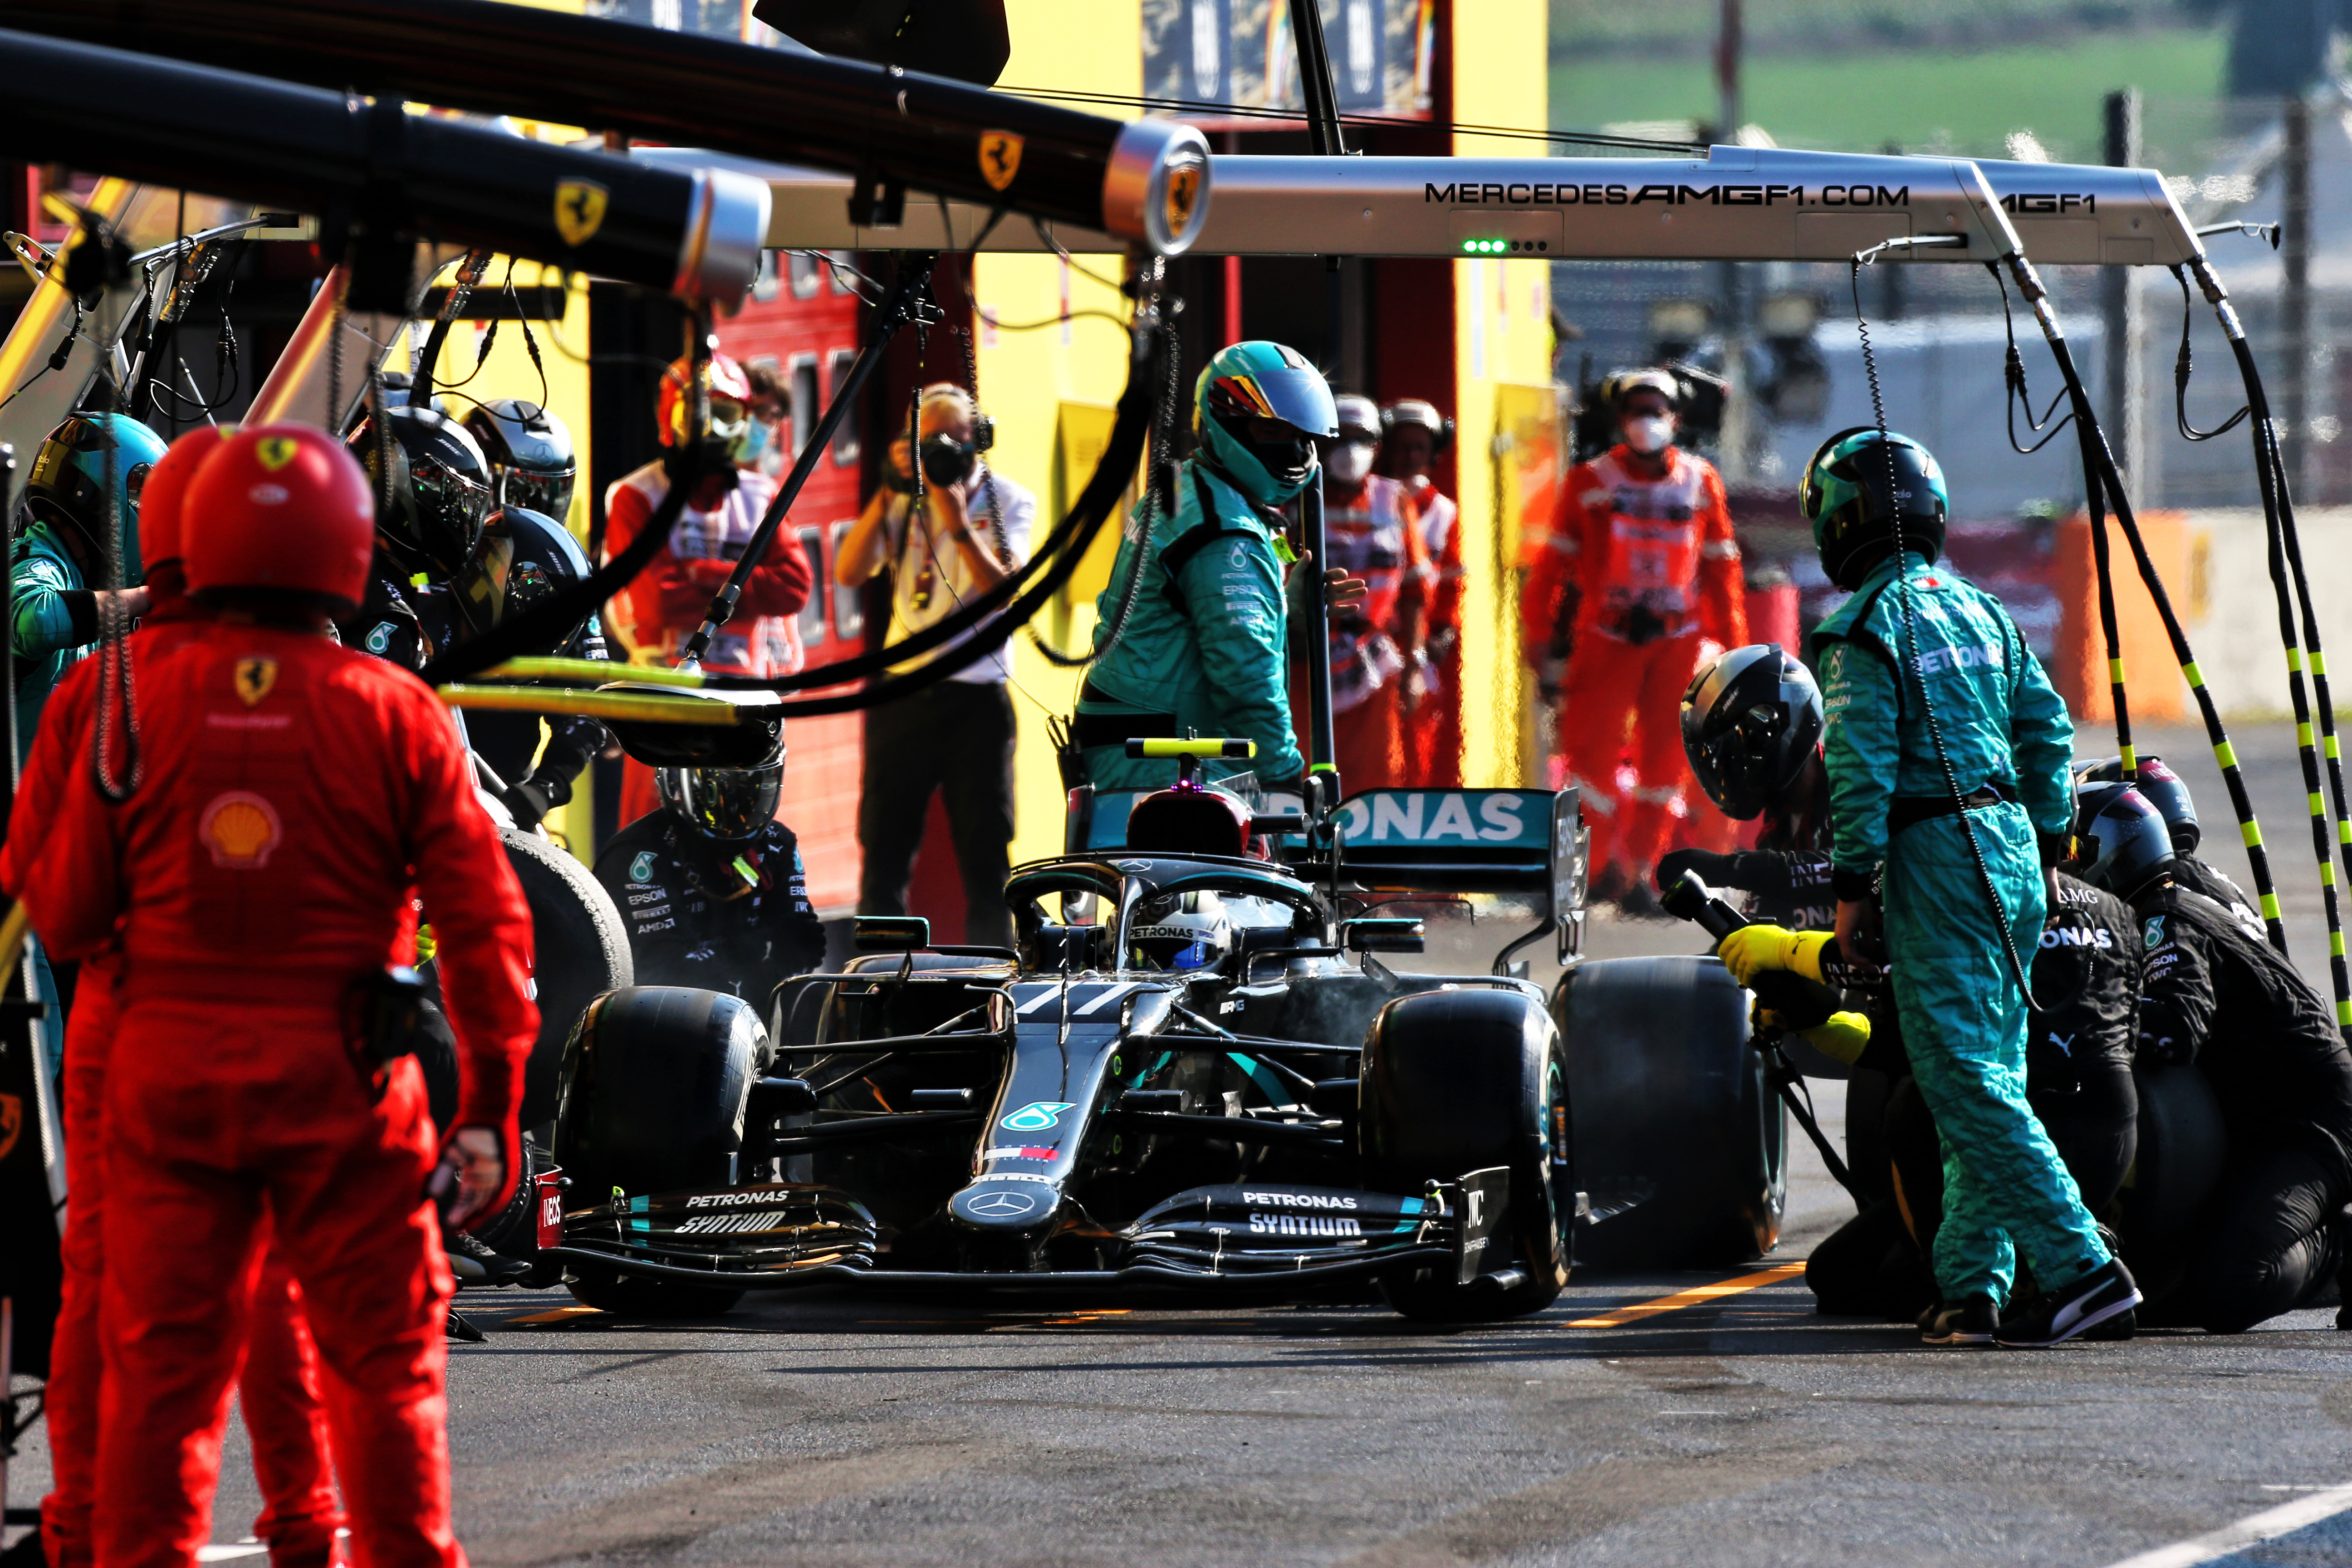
(1504, 337)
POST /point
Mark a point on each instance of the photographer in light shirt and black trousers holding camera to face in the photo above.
(956, 737)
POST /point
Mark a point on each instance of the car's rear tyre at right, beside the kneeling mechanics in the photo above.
(1678, 1134)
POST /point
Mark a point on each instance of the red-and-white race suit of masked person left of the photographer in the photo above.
(657, 612)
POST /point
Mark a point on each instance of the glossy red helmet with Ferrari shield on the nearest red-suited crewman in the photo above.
(281, 511)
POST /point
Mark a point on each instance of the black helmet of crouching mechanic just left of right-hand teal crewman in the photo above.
(1749, 725)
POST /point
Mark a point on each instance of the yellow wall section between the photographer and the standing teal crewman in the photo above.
(1027, 377)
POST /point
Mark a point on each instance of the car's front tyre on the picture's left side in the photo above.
(653, 1101)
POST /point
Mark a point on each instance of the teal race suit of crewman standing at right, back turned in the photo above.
(2005, 730)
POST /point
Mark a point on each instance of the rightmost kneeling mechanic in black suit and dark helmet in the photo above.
(2219, 996)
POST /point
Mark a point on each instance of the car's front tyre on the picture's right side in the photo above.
(1469, 1080)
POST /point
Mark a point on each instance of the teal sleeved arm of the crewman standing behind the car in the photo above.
(1234, 596)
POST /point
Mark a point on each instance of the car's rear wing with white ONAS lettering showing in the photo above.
(1471, 843)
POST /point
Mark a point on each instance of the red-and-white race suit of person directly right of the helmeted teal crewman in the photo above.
(1377, 540)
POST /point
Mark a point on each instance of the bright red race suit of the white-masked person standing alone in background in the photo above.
(1633, 577)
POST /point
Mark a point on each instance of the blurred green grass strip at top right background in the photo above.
(1930, 98)
